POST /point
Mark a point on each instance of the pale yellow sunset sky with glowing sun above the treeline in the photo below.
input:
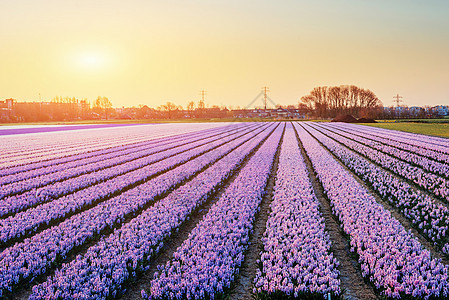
(150, 52)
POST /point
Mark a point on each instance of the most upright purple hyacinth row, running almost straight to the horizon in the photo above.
(296, 259)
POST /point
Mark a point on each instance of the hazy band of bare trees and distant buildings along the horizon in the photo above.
(321, 103)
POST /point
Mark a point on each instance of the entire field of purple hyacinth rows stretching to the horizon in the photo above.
(169, 211)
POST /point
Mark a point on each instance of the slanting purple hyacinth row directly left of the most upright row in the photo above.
(207, 261)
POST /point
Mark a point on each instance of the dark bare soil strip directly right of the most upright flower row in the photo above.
(352, 283)
